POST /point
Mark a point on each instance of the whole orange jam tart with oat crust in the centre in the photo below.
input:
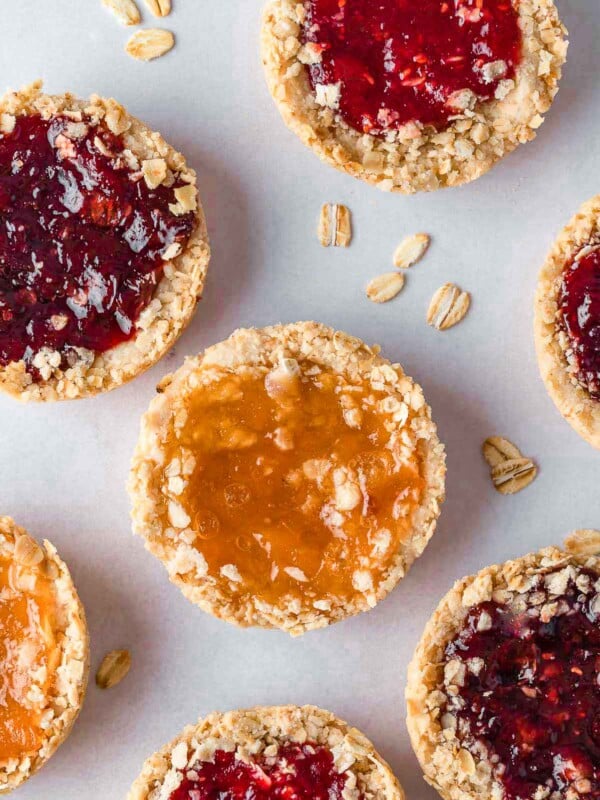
(287, 477)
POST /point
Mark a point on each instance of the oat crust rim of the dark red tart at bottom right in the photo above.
(455, 771)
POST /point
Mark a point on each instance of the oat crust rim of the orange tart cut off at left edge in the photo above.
(62, 703)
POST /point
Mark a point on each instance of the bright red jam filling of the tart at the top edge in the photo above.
(398, 61)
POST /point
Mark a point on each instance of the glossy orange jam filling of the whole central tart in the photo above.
(293, 482)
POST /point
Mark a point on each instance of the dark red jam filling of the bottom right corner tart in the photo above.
(535, 703)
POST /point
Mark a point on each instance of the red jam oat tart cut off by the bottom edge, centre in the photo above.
(268, 753)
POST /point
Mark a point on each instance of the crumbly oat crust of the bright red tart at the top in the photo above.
(418, 159)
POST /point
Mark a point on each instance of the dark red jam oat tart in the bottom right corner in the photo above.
(503, 695)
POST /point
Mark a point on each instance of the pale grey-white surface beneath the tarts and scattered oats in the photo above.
(63, 467)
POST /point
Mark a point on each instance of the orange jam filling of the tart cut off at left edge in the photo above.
(28, 657)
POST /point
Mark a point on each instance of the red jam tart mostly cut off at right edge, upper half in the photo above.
(567, 322)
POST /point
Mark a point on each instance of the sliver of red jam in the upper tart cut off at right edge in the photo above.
(579, 306)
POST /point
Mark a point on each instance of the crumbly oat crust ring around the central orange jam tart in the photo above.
(266, 347)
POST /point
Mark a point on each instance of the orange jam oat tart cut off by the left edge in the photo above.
(44, 654)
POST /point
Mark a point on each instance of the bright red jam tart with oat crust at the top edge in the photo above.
(413, 96)
